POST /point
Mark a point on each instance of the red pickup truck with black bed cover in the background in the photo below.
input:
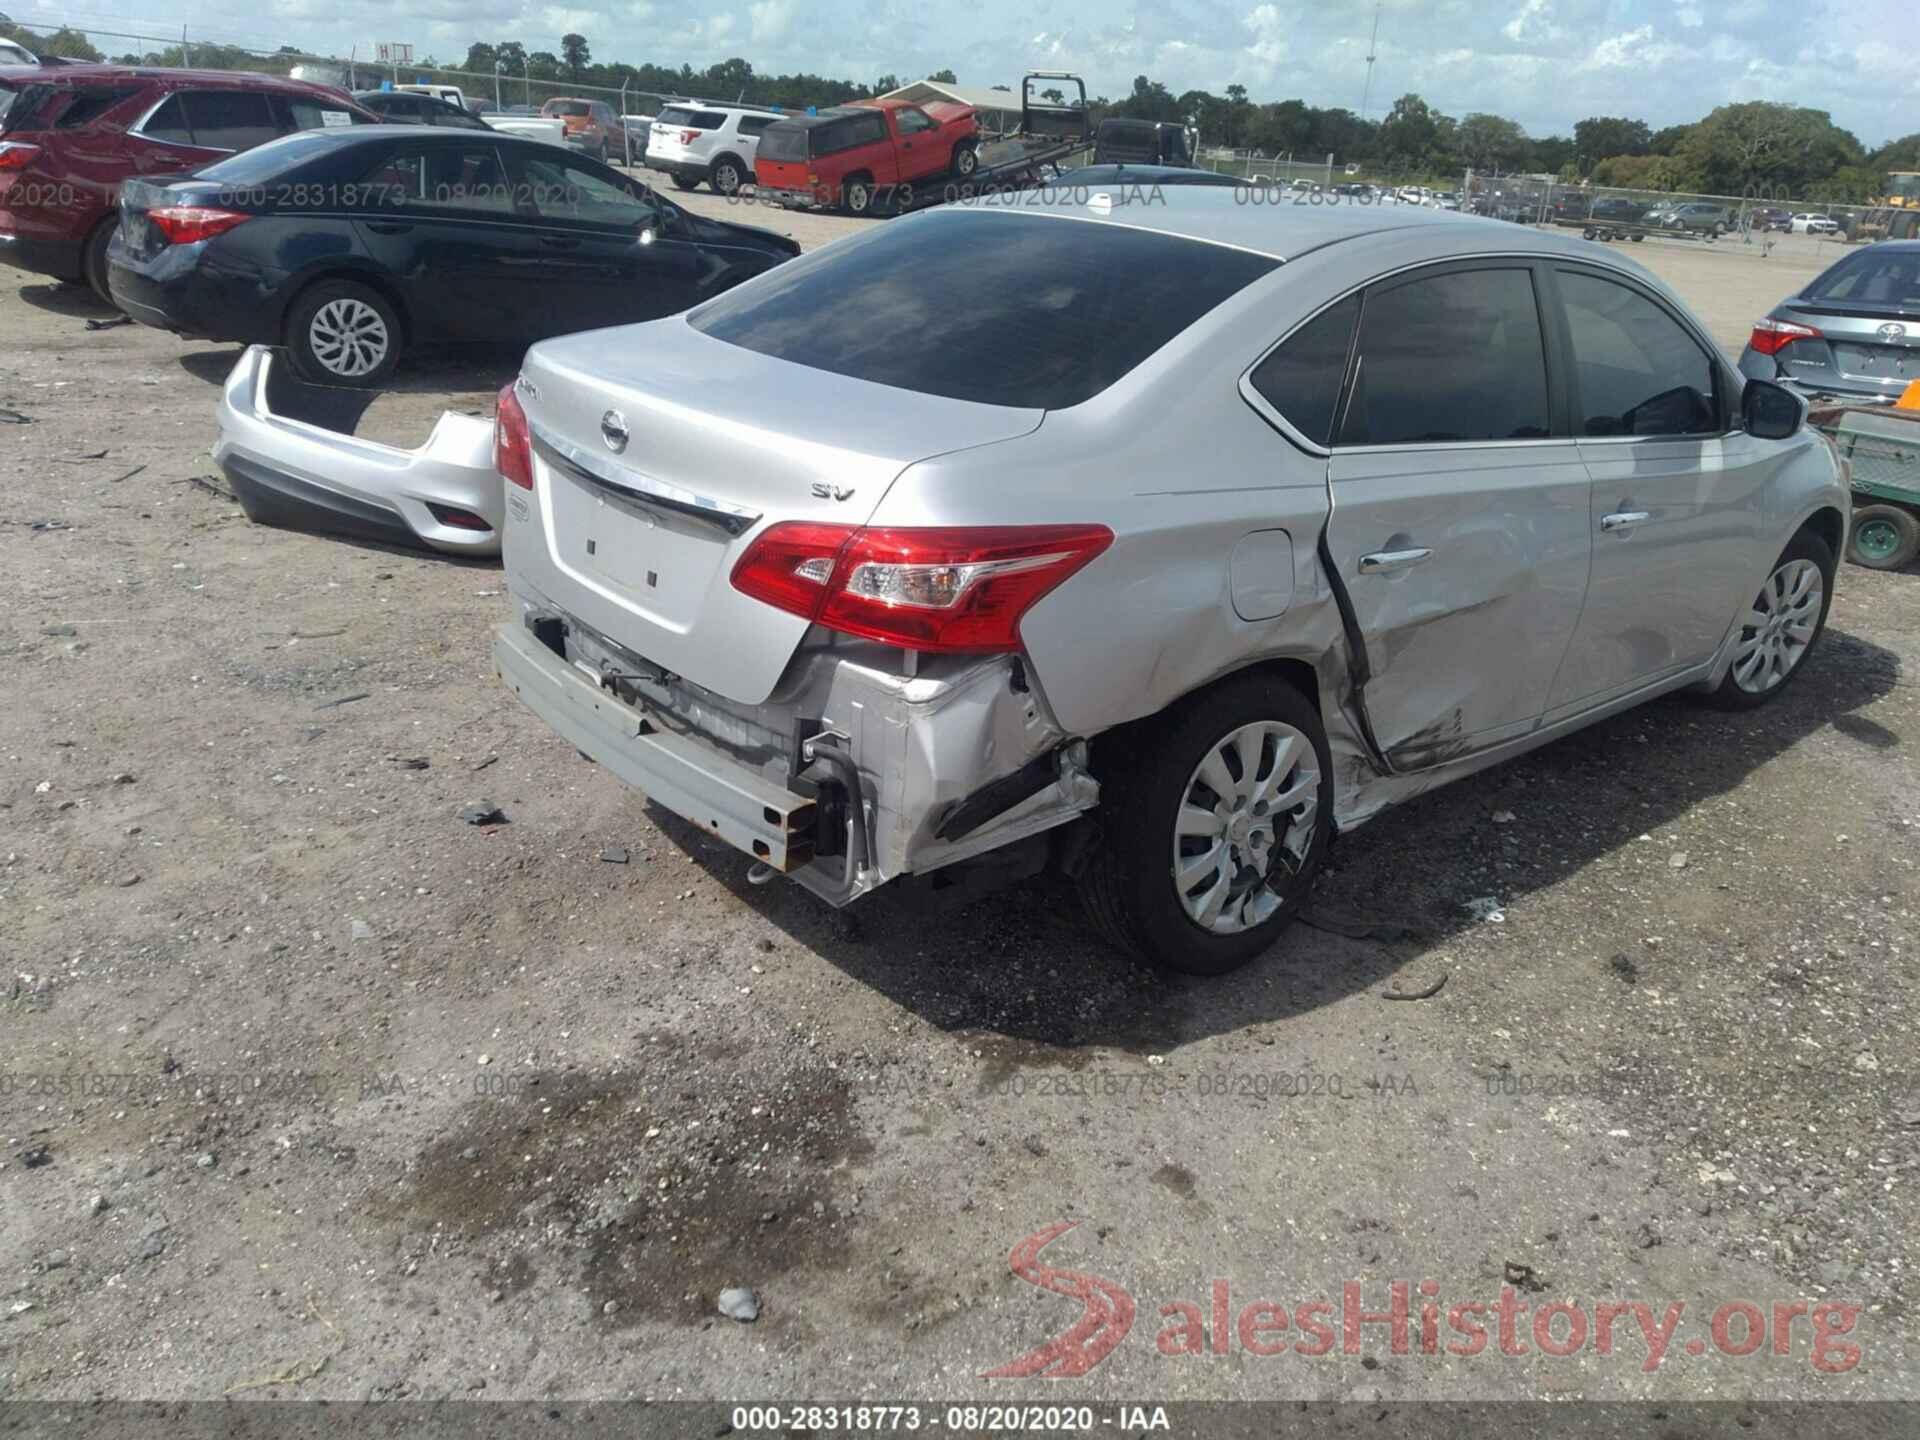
(869, 155)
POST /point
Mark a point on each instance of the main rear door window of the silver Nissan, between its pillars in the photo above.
(1452, 358)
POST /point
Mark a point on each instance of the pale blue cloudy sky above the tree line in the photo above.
(1543, 62)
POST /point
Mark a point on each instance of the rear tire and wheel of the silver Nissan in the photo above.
(1216, 819)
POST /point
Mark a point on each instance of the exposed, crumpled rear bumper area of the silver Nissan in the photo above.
(850, 777)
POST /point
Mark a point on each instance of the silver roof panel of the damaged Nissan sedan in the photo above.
(1278, 224)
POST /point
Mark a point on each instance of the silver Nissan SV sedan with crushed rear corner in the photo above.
(1147, 540)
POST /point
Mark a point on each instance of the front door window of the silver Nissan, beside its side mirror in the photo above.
(1639, 372)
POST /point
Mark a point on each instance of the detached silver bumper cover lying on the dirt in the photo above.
(293, 458)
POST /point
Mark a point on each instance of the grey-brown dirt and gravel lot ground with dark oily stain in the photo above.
(312, 1090)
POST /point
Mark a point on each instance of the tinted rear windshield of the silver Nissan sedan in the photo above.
(986, 306)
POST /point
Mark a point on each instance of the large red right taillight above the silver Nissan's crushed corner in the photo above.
(924, 590)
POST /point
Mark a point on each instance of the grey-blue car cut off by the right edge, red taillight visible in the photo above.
(1852, 333)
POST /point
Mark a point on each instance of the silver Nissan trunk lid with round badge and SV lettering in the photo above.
(721, 443)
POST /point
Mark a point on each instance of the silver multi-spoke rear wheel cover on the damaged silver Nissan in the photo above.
(1245, 827)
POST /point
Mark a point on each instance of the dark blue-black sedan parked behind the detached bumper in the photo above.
(352, 245)
